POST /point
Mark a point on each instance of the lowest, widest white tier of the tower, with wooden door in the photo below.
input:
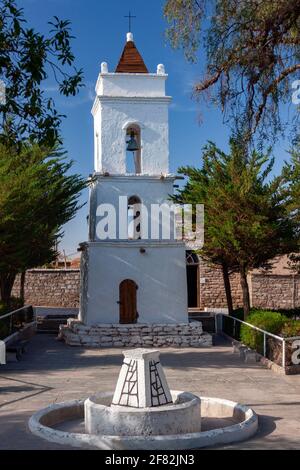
(145, 277)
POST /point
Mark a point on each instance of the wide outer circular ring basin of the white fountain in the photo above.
(232, 422)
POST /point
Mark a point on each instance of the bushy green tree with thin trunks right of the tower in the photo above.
(247, 222)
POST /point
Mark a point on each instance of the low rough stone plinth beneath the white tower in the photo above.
(183, 335)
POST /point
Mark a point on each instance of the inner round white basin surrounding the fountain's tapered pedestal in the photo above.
(180, 417)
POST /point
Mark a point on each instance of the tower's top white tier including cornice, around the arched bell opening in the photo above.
(124, 99)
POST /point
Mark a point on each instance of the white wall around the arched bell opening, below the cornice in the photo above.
(111, 122)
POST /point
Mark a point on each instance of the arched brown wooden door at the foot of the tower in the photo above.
(128, 304)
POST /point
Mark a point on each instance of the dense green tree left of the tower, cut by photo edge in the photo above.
(38, 195)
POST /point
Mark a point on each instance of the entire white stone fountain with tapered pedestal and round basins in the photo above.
(143, 413)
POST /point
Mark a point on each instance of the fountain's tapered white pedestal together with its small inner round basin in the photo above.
(142, 403)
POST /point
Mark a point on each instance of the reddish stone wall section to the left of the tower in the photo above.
(50, 287)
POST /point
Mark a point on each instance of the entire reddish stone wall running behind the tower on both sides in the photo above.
(60, 288)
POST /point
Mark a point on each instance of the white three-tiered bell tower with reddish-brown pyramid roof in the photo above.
(133, 268)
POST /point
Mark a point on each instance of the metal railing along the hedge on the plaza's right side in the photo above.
(236, 334)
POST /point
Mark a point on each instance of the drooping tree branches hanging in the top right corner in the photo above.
(253, 54)
